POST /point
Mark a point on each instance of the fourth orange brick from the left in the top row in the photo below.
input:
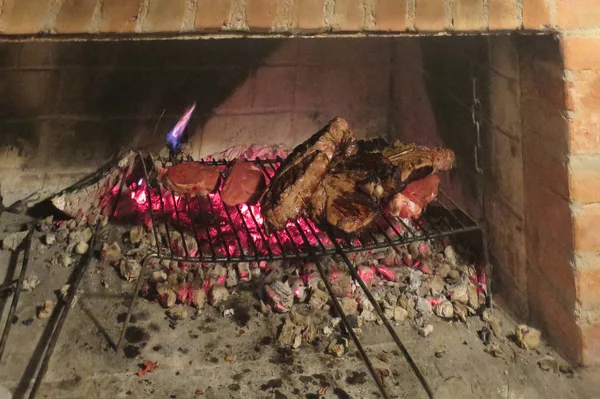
(164, 15)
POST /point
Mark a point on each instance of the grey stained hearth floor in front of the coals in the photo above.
(217, 357)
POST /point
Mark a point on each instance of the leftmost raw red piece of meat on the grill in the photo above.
(190, 177)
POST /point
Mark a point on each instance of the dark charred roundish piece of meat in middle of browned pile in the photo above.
(340, 203)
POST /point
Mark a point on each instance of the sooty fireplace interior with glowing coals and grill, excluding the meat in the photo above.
(72, 109)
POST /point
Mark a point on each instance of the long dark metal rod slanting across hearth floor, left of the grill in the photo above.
(82, 269)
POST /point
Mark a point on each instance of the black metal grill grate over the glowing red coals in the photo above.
(236, 233)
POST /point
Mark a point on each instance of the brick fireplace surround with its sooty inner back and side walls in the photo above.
(74, 73)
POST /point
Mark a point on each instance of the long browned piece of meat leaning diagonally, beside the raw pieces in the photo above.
(294, 183)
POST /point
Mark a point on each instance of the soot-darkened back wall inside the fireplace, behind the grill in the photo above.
(54, 97)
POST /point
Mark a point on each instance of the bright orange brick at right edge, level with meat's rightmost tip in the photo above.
(584, 179)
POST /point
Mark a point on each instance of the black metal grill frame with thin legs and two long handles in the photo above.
(313, 252)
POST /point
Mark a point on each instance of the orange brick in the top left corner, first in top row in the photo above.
(24, 16)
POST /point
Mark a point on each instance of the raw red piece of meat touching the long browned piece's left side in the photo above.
(244, 184)
